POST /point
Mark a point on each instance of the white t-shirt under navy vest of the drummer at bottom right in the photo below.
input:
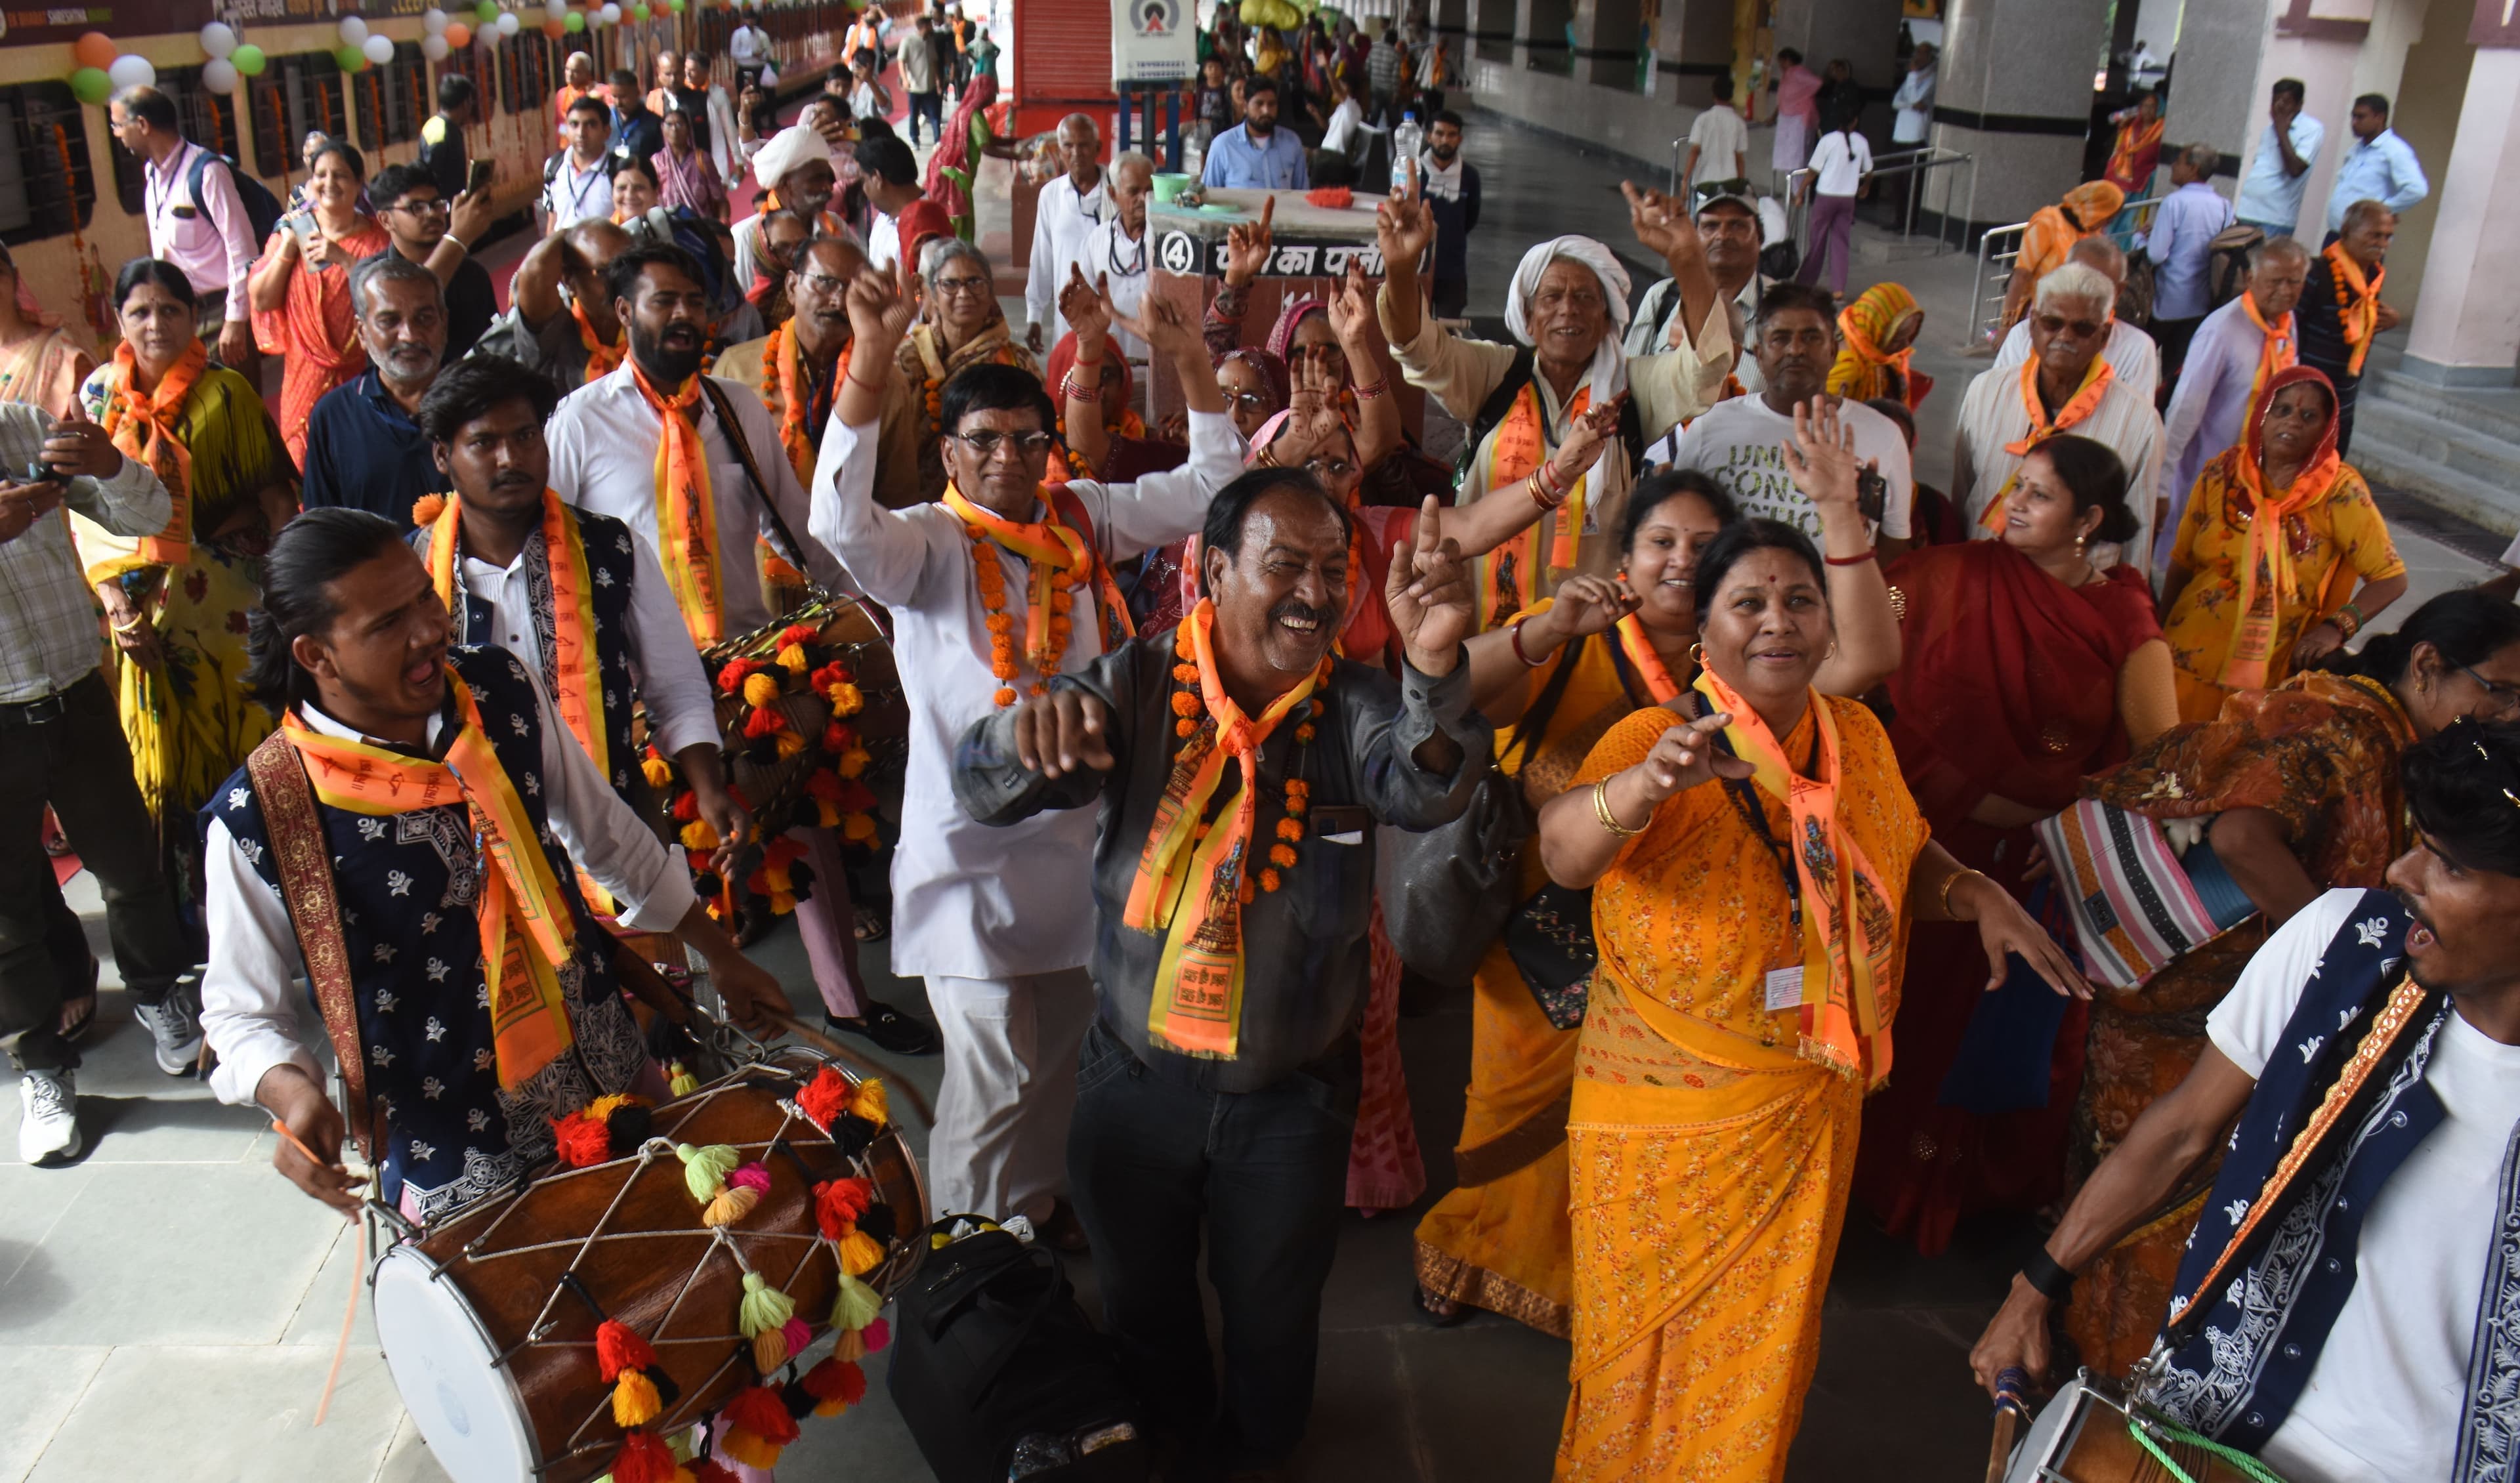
(2390, 1384)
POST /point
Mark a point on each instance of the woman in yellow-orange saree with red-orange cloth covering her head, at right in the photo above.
(2274, 540)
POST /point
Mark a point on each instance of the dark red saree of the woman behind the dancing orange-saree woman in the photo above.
(2010, 689)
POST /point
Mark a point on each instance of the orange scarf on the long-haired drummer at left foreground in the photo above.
(523, 915)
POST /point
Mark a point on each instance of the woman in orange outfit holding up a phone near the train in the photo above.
(301, 291)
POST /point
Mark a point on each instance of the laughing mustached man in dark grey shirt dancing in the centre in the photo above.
(1239, 772)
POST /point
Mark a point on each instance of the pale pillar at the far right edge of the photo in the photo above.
(2468, 319)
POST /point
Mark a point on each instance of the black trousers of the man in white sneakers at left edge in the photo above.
(79, 764)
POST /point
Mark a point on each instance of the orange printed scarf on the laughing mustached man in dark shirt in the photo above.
(1198, 981)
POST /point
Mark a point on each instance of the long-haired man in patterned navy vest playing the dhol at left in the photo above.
(409, 840)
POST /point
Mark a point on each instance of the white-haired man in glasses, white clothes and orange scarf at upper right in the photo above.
(2065, 386)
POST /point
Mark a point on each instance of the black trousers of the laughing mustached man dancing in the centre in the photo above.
(1261, 1175)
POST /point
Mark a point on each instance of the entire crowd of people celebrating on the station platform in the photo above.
(412, 684)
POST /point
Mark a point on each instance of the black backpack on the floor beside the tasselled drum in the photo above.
(1002, 1376)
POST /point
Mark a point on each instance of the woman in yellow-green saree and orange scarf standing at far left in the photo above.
(175, 603)
